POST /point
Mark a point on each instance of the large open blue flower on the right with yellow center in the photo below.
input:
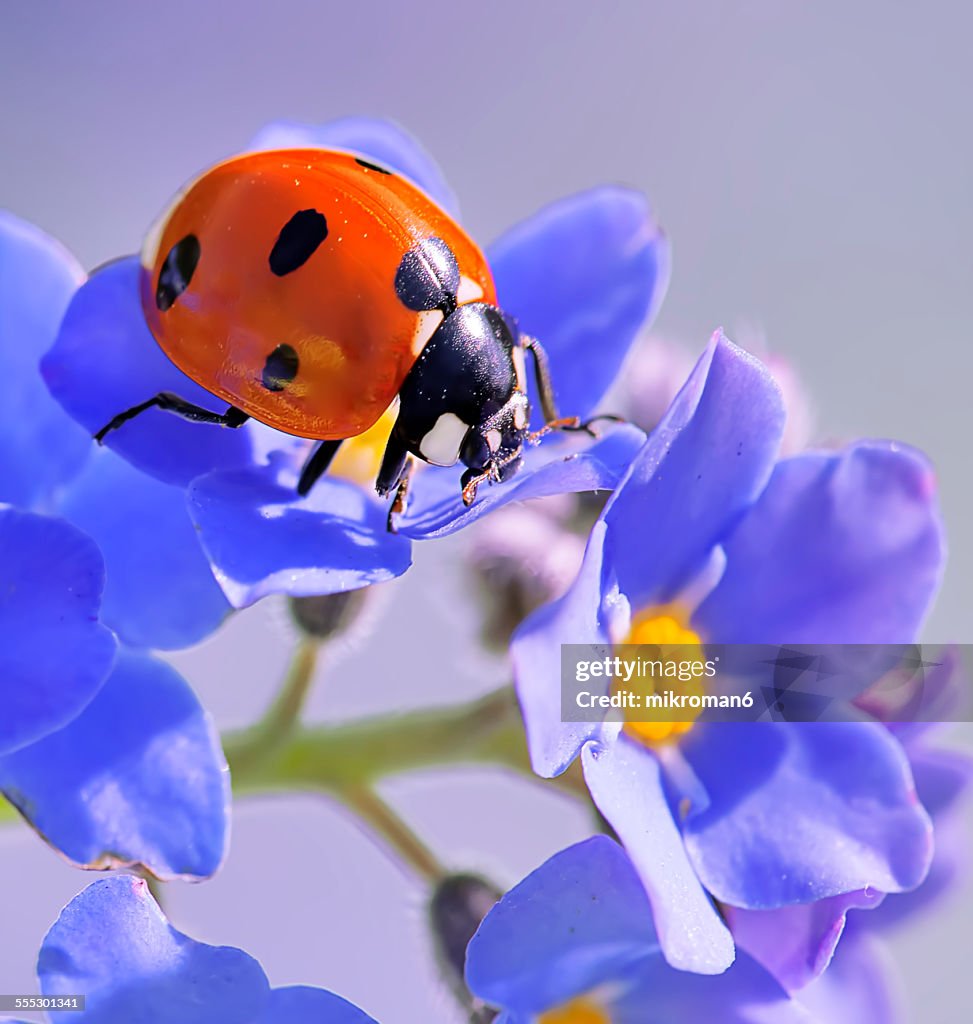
(707, 538)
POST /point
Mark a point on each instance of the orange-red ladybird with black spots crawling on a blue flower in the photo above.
(311, 289)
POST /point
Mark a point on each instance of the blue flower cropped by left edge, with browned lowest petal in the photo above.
(87, 740)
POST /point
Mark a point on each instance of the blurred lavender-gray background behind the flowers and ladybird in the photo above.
(813, 164)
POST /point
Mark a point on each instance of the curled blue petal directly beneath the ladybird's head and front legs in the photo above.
(436, 506)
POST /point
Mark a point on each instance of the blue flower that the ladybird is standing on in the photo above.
(584, 276)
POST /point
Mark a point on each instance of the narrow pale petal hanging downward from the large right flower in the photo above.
(625, 781)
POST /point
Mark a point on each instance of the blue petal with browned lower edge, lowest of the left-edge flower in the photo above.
(138, 779)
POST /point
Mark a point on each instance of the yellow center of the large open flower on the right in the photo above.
(675, 653)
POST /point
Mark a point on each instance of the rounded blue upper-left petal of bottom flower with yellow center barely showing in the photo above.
(577, 921)
